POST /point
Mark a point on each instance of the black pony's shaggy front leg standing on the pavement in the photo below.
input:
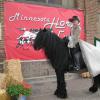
(61, 91)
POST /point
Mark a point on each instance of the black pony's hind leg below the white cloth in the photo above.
(96, 84)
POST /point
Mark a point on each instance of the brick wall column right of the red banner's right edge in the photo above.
(92, 8)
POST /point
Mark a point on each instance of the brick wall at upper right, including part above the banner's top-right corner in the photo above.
(91, 9)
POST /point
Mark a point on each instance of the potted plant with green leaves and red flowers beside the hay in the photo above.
(21, 90)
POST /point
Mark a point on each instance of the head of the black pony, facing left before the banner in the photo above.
(39, 41)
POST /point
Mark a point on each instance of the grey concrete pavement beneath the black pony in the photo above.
(76, 86)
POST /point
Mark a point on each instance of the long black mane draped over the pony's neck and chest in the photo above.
(55, 49)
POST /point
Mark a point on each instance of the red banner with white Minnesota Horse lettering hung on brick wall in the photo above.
(20, 19)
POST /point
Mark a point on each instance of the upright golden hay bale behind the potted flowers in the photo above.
(13, 69)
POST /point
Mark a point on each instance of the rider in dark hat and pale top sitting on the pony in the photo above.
(73, 43)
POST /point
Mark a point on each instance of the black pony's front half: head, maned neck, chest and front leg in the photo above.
(57, 52)
